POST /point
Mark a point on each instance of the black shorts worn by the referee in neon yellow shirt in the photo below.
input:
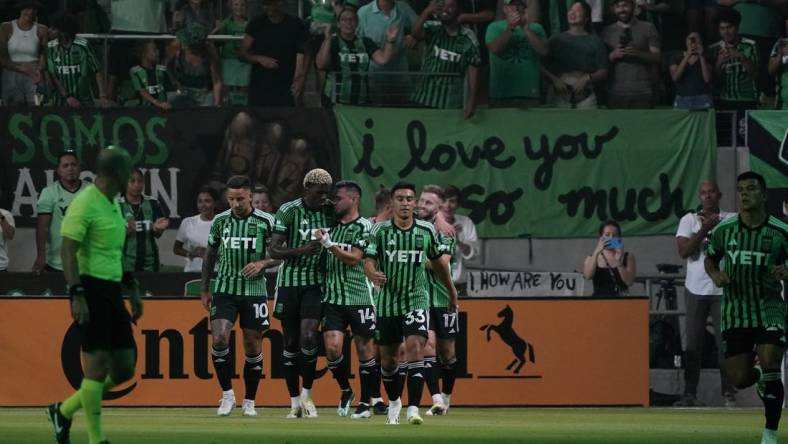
(109, 322)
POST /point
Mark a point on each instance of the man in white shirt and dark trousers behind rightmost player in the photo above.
(702, 296)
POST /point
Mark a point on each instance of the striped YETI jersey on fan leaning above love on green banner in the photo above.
(446, 58)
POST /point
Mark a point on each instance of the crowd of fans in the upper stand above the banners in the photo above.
(726, 54)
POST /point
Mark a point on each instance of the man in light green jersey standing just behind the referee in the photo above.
(51, 209)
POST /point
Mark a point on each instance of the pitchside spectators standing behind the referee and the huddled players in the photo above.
(146, 222)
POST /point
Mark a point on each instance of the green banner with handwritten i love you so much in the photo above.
(547, 173)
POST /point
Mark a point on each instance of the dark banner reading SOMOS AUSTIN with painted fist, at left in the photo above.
(179, 151)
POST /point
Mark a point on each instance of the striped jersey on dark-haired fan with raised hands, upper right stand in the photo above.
(735, 83)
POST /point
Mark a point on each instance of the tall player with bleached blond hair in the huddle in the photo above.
(298, 296)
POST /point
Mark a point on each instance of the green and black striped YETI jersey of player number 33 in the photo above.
(402, 255)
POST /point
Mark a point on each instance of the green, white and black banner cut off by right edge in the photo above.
(767, 139)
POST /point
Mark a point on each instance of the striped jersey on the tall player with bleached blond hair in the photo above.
(298, 223)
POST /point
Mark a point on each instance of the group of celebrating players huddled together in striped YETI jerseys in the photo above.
(389, 282)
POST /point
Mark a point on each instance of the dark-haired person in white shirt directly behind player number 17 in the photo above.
(467, 239)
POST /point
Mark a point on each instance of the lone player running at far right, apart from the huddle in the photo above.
(755, 249)
